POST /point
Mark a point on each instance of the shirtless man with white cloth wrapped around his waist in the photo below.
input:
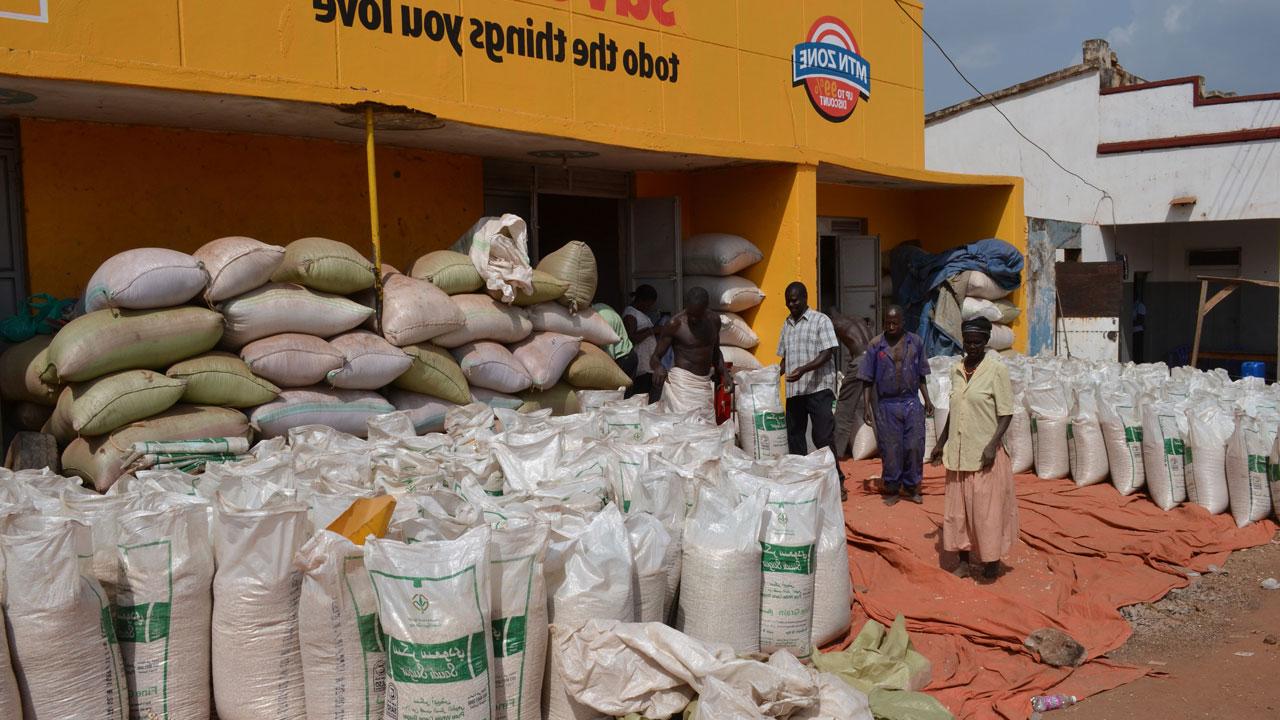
(694, 335)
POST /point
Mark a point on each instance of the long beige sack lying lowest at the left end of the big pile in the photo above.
(103, 459)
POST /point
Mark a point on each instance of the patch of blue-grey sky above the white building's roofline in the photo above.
(1235, 44)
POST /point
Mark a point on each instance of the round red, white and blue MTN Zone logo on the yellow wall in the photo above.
(834, 74)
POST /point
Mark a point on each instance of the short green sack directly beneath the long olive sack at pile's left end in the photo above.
(120, 399)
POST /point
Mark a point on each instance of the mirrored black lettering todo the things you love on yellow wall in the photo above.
(499, 42)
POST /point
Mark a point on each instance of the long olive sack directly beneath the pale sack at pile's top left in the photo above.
(107, 341)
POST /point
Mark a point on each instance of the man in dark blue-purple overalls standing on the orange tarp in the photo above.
(895, 367)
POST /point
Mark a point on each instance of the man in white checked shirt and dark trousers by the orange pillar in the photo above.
(808, 348)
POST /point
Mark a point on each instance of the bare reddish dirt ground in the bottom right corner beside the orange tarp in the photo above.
(1213, 648)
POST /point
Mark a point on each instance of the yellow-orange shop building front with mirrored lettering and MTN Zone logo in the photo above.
(175, 122)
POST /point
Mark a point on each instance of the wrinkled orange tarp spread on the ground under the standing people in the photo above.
(1082, 555)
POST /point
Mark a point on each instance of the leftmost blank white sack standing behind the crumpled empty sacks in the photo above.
(589, 576)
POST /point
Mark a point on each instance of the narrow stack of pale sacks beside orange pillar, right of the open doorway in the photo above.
(712, 262)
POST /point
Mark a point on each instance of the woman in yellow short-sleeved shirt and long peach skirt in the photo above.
(981, 513)
